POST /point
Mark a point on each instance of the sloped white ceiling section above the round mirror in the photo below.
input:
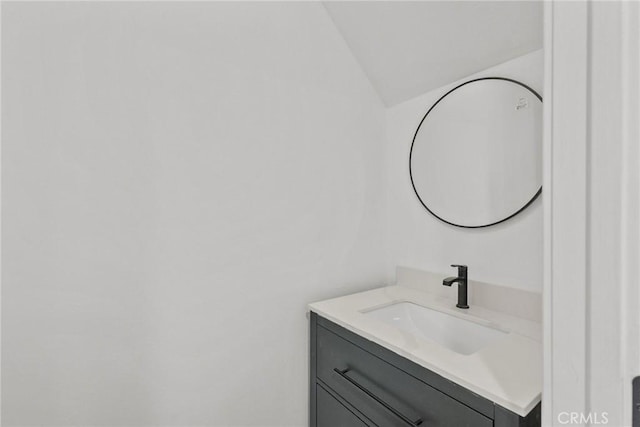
(407, 48)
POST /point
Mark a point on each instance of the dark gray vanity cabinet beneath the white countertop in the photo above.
(355, 382)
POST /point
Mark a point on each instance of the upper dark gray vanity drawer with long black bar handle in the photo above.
(383, 393)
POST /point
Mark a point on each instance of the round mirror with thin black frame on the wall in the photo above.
(476, 157)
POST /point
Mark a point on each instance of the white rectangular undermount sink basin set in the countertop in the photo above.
(456, 334)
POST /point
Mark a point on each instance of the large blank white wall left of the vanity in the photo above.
(179, 180)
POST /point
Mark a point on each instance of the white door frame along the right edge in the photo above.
(591, 161)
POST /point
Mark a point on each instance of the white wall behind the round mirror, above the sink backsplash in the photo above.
(509, 253)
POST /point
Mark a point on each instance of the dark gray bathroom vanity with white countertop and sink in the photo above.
(398, 356)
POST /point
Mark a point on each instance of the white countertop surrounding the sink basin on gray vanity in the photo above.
(507, 372)
